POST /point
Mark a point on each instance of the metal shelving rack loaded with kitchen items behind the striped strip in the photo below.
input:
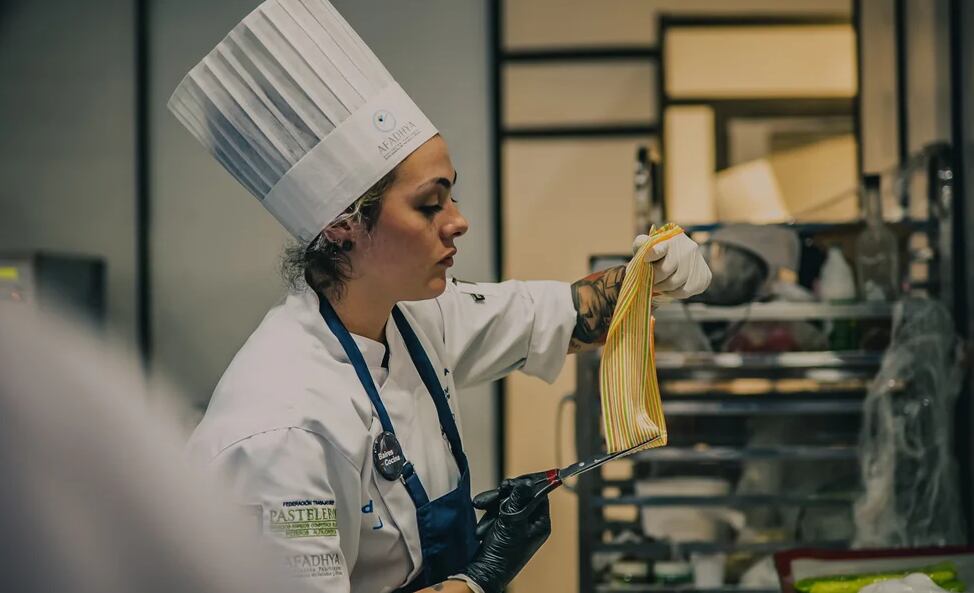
(841, 379)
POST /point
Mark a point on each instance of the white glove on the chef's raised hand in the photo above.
(679, 271)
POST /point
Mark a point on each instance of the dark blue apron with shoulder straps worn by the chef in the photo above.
(447, 525)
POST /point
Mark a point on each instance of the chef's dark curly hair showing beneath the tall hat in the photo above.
(323, 265)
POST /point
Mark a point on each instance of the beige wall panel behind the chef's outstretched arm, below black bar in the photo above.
(563, 201)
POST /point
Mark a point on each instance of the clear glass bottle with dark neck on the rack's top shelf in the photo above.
(877, 251)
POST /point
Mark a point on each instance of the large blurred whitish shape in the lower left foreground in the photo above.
(96, 495)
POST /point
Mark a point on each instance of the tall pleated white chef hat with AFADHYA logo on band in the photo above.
(300, 111)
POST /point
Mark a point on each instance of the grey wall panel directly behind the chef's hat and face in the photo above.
(216, 252)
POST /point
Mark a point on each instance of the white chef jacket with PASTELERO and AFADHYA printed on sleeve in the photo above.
(292, 428)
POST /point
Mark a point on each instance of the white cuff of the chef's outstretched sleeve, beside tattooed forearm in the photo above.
(551, 330)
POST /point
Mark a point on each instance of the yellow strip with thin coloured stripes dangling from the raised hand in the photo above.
(632, 413)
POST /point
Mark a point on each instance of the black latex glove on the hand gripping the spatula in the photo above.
(520, 524)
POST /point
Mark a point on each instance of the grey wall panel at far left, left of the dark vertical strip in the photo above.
(67, 137)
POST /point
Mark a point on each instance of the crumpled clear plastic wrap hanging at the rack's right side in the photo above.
(909, 475)
